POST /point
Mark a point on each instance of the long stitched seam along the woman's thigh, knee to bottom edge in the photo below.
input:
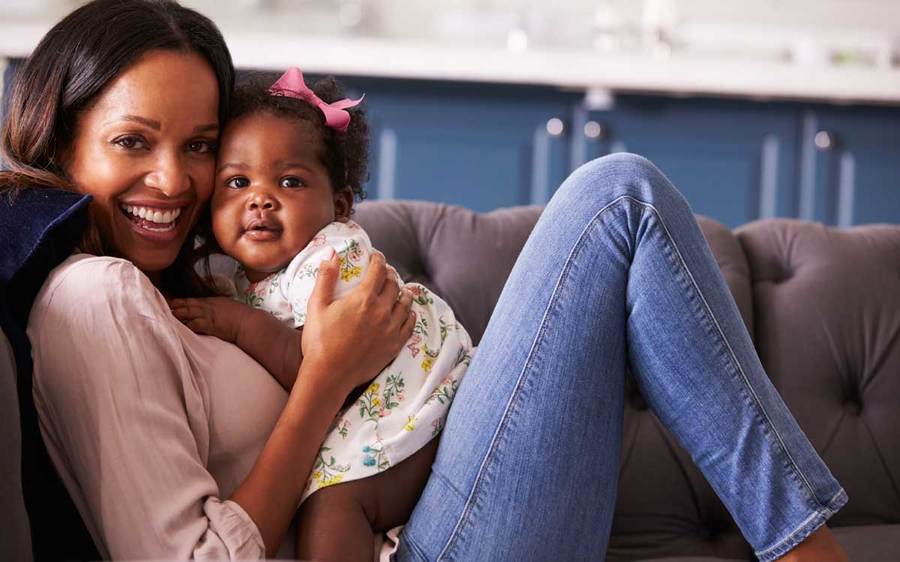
(504, 421)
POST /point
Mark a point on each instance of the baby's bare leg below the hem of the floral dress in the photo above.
(338, 523)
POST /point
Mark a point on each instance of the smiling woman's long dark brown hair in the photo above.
(67, 71)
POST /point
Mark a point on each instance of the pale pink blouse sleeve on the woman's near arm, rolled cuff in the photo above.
(124, 419)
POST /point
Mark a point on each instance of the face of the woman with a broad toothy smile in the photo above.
(144, 151)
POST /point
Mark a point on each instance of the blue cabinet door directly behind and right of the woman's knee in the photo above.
(733, 161)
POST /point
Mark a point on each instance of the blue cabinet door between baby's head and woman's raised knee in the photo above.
(478, 146)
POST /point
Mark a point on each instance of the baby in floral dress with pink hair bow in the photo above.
(289, 165)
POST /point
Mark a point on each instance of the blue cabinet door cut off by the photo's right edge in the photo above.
(850, 171)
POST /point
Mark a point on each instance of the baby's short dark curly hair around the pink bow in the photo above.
(345, 155)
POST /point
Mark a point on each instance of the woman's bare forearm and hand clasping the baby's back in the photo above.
(340, 353)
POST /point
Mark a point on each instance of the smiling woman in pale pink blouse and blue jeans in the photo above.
(122, 101)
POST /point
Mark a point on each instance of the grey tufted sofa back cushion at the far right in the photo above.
(827, 321)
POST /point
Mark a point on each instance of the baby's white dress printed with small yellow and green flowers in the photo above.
(405, 406)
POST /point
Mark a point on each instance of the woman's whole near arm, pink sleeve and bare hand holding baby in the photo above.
(129, 433)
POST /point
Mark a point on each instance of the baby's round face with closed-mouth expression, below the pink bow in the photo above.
(273, 193)
